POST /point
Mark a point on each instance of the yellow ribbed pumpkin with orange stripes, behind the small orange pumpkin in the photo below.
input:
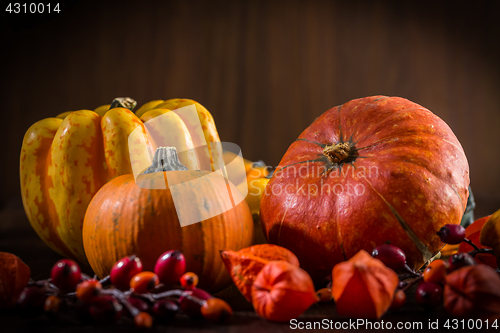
(66, 159)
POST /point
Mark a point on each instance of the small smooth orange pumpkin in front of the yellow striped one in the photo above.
(124, 219)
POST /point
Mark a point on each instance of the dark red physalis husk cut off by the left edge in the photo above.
(14, 276)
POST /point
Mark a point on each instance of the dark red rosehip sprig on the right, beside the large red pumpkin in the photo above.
(431, 281)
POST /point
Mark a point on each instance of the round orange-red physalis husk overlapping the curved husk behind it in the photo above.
(282, 291)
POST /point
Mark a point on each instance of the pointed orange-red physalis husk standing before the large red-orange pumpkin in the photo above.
(363, 287)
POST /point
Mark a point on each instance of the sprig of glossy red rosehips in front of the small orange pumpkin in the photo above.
(128, 291)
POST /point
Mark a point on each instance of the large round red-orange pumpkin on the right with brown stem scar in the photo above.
(372, 171)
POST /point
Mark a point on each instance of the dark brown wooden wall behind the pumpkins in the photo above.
(265, 69)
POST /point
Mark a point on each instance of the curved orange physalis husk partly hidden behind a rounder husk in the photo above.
(244, 265)
